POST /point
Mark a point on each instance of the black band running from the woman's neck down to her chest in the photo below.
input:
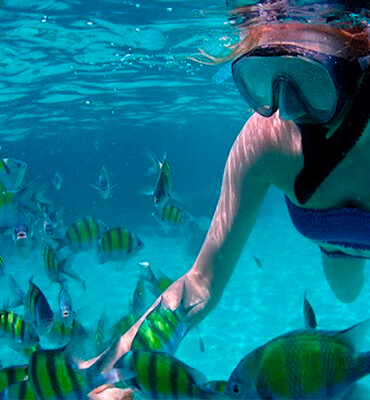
(322, 155)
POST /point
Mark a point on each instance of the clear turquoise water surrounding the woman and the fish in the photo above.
(91, 83)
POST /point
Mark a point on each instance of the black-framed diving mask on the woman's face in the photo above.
(304, 85)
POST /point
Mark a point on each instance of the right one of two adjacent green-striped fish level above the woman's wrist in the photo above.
(117, 244)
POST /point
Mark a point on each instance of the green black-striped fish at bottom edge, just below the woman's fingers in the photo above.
(157, 375)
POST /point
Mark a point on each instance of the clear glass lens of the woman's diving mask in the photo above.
(257, 78)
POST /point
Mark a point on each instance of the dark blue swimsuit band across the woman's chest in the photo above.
(345, 227)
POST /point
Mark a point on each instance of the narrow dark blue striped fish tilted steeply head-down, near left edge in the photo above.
(39, 309)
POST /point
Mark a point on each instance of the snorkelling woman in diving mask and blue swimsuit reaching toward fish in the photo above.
(309, 135)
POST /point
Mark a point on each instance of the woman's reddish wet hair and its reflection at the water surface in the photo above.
(345, 22)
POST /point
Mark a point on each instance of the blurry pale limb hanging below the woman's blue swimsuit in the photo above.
(345, 276)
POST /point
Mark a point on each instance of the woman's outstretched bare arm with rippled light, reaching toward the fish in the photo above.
(250, 169)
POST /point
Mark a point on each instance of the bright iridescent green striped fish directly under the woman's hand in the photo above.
(163, 329)
